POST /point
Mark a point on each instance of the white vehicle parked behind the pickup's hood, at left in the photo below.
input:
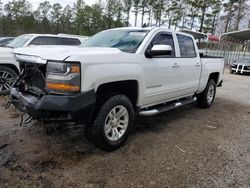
(9, 67)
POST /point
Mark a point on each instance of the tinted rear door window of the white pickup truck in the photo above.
(186, 44)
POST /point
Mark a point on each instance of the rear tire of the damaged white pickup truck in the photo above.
(203, 101)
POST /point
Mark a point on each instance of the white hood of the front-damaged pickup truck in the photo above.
(60, 53)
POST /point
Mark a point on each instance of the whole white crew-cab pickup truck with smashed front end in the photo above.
(116, 75)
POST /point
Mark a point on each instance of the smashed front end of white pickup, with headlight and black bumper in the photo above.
(50, 91)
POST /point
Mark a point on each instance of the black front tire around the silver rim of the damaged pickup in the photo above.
(96, 131)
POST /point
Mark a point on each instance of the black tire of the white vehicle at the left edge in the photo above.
(11, 75)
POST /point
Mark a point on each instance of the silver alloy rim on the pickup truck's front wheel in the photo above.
(116, 123)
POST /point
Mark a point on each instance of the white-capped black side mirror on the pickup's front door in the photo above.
(159, 49)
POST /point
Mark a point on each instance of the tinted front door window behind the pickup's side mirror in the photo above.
(164, 39)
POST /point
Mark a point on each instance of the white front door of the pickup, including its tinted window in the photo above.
(161, 73)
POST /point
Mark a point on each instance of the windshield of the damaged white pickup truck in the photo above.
(125, 40)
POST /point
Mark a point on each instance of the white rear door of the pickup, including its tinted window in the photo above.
(190, 66)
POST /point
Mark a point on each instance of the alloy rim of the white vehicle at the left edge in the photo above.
(6, 80)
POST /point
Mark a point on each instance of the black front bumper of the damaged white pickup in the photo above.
(52, 107)
